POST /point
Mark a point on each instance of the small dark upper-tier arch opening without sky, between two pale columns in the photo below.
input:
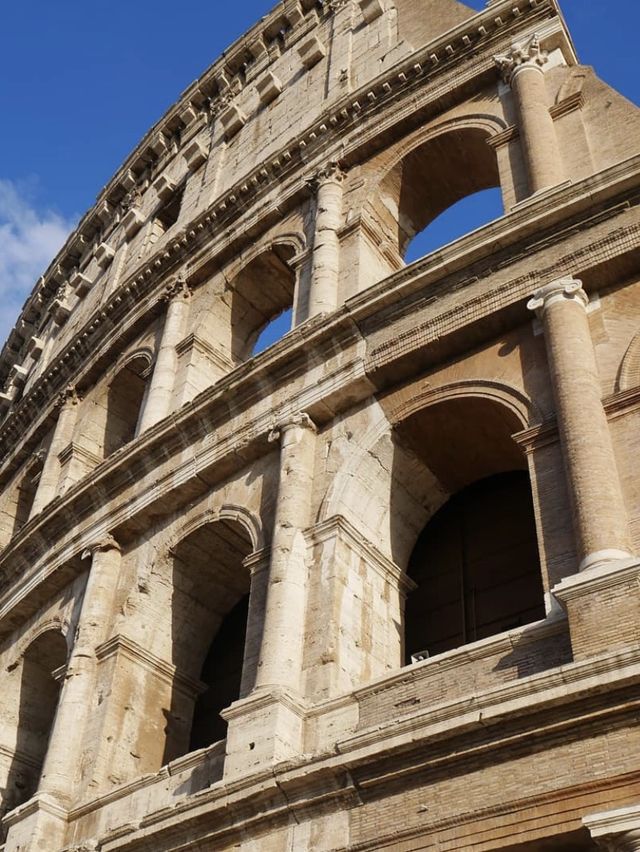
(124, 403)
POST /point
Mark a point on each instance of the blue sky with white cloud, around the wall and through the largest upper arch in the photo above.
(82, 82)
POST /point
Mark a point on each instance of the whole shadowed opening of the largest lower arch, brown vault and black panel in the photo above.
(475, 558)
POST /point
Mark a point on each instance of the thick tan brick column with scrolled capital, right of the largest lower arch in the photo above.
(599, 514)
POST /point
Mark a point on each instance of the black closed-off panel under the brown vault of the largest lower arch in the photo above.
(476, 567)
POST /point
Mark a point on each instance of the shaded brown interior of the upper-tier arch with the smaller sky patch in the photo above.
(262, 291)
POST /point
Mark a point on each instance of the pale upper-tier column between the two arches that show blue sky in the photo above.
(323, 295)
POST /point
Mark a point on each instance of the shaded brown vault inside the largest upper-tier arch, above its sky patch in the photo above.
(432, 178)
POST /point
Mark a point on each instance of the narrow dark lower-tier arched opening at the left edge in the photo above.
(39, 691)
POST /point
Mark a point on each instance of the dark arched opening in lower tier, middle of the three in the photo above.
(210, 609)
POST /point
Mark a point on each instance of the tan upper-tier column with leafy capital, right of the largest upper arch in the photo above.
(522, 69)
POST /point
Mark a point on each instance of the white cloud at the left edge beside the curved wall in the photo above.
(29, 240)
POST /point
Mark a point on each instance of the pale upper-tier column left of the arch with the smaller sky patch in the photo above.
(159, 397)
